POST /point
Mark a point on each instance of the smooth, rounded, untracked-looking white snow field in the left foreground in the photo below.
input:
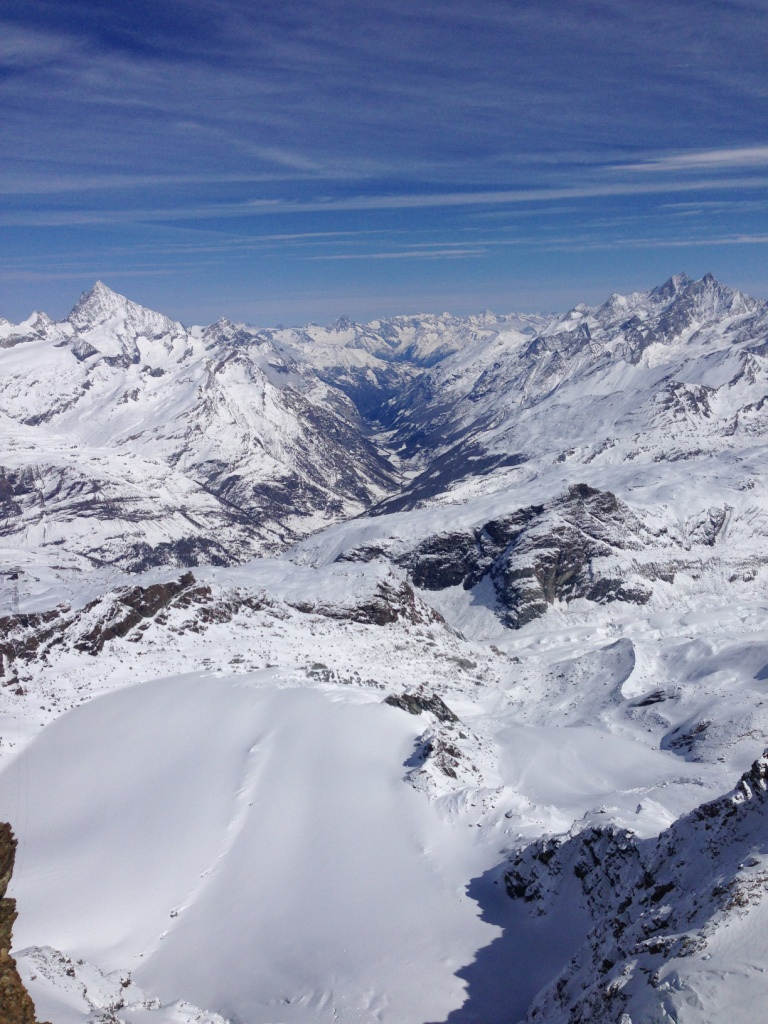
(252, 847)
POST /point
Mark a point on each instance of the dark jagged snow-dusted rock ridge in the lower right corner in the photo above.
(655, 908)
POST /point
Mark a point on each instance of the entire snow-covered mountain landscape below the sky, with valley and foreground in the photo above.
(320, 645)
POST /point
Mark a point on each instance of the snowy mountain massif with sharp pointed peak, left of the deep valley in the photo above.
(244, 449)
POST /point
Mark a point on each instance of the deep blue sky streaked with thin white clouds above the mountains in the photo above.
(295, 160)
